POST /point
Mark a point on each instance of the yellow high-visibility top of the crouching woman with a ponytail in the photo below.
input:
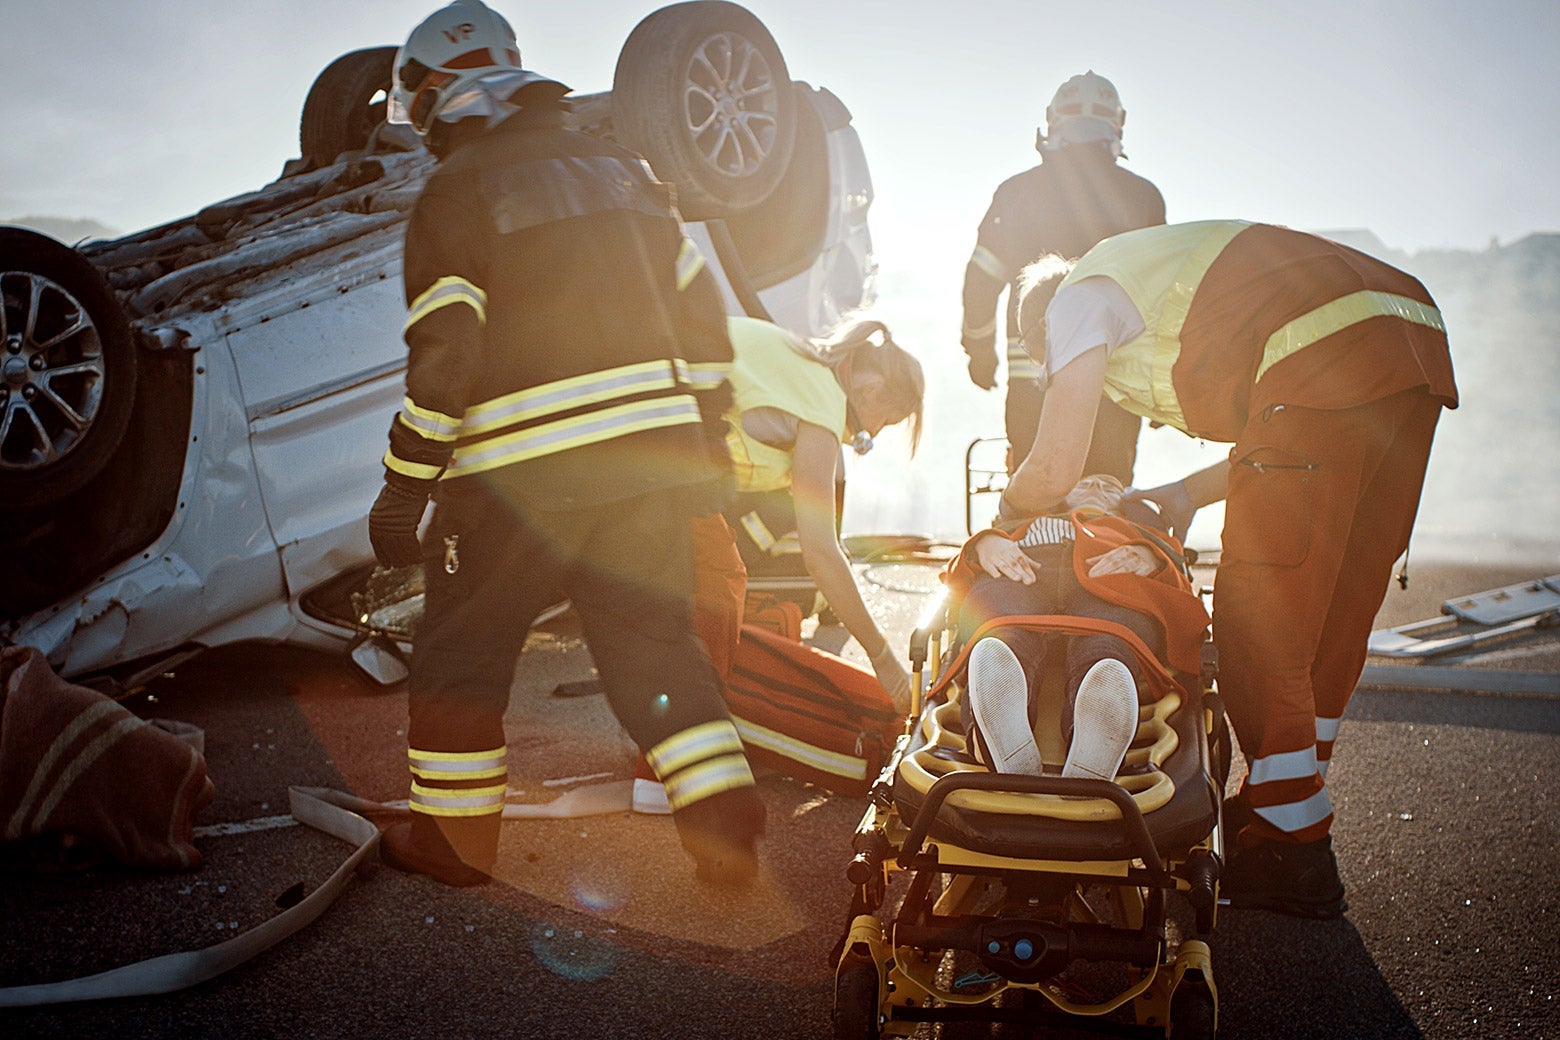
(771, 373)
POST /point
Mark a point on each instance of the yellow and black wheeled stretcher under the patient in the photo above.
(1038, 899)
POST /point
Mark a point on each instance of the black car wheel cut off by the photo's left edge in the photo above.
(68, 370)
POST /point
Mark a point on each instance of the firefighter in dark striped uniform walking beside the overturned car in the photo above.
(567, 370)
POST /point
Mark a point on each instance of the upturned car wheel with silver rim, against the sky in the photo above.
(703, 93)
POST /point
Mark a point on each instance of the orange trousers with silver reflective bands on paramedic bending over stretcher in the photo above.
(1321, 508)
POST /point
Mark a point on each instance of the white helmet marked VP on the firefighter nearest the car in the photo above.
(444, 57)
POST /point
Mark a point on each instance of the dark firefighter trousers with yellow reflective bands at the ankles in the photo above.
(492, 568)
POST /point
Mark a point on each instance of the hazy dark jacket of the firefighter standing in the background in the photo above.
(1077, 197)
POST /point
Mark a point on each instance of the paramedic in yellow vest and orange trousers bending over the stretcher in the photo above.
(1327, 370)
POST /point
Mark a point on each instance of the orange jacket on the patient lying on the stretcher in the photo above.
(1166, 595)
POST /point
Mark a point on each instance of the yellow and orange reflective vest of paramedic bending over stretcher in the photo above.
(1244, 317)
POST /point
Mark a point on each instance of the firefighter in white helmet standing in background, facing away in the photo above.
(1077, 197)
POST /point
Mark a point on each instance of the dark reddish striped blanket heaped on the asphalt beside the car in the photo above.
(74, 762)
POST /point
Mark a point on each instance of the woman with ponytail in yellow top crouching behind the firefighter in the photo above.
(795, 405)
